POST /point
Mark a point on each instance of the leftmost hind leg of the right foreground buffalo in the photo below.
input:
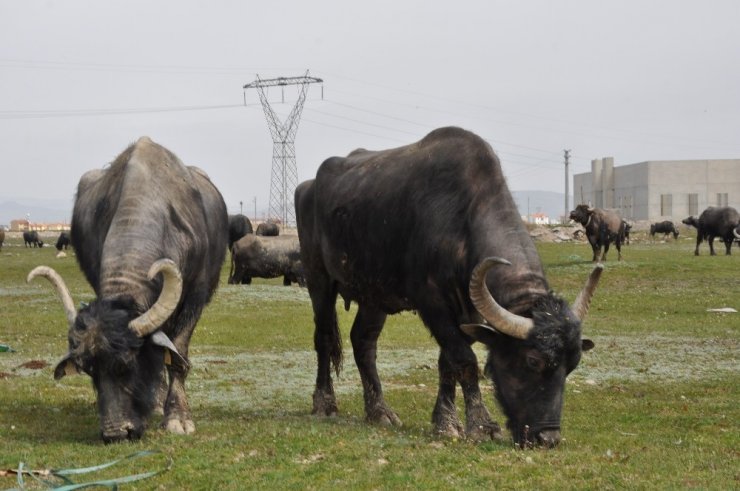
(327, 343)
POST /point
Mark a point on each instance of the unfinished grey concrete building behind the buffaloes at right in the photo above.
(659, 189)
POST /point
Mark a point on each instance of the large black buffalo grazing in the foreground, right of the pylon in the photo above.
(420, 228)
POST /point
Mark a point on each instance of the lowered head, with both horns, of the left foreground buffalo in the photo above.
(122, 350)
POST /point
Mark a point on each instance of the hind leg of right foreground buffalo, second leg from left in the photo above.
(365, 331)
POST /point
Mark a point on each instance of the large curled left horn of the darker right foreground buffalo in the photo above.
(504, 321)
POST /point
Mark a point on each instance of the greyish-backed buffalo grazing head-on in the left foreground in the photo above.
(150, 236)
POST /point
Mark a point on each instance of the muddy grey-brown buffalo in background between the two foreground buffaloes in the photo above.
(266, 257)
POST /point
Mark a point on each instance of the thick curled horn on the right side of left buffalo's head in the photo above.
(152, 319)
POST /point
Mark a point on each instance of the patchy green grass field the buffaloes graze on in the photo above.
(655, 405)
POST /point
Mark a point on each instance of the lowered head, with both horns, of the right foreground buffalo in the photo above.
(530, 357)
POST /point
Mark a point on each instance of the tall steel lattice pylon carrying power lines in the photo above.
(284, 175)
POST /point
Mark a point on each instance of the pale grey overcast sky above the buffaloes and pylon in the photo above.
(636, 80)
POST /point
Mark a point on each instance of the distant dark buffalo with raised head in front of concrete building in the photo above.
(602, 228)
